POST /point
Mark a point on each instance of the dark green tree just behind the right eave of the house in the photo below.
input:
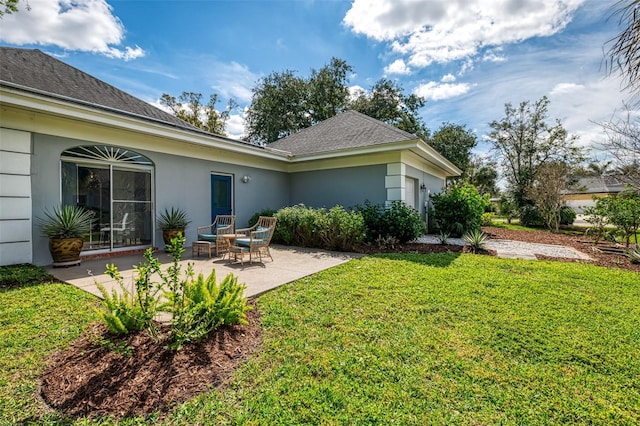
(455, 143)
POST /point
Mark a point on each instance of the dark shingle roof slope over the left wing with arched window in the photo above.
(35, 70)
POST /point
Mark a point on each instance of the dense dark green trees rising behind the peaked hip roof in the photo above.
(284, 103)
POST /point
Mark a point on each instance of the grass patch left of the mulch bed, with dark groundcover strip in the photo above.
(35, 320)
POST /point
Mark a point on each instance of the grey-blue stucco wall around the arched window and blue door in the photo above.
(180, 181)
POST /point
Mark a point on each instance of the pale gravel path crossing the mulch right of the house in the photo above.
(516, 249)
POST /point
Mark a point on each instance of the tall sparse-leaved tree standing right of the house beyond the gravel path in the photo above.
(524, 142)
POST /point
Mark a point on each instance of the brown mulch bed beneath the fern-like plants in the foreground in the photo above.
(137, 375)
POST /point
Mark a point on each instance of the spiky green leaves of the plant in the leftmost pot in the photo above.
(66, 222)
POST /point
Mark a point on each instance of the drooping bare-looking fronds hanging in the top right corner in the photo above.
(624, 49)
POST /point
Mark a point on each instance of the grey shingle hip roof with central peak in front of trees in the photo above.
(349, 129)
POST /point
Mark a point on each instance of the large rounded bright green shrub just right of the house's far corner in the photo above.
(458, 208)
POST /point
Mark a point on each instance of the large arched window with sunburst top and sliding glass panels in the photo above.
(117, 185)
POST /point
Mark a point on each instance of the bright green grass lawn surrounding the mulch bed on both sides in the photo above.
(395, 339)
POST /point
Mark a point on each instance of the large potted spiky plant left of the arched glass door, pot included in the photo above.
(65, 227)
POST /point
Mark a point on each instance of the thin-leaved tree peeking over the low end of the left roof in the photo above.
(189, 107)
